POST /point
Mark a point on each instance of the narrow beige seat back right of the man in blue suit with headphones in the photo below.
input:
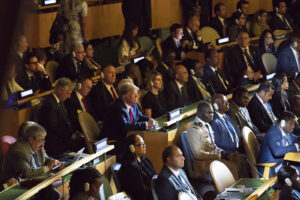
(252, 148)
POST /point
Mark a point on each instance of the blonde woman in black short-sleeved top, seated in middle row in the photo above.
(152, 101)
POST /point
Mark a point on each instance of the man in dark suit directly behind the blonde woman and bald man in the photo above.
(166, 65)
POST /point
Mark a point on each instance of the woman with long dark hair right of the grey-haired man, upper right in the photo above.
(266, 43)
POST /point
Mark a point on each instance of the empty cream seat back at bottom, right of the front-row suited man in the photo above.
(221, 175)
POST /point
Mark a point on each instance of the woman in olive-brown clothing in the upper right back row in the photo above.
(260, 23)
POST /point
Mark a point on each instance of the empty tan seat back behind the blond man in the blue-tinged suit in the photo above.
(90, 129)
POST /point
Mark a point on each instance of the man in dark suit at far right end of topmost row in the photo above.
(280, 21)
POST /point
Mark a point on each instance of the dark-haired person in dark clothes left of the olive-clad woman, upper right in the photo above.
(238, 24)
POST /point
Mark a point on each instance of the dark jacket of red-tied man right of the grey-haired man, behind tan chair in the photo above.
(72, 105)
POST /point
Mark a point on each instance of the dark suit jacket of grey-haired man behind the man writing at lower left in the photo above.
(58, 127)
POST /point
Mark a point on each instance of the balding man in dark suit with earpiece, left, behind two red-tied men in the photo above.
(72, 65)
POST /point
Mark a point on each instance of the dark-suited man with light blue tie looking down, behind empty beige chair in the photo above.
(260, 109)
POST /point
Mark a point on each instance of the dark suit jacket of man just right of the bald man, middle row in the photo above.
(211, 78)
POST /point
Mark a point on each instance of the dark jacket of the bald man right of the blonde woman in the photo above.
(173, 96)
